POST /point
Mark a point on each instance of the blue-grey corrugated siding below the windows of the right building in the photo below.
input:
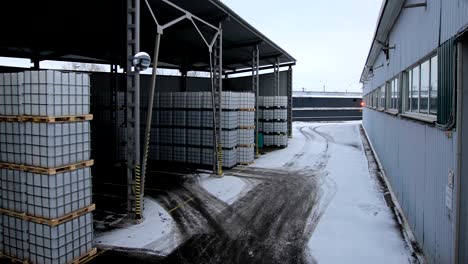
(416, 158)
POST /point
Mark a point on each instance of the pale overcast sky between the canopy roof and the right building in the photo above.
(330, 39)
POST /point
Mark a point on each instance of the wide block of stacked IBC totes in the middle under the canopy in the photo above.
(184, 128)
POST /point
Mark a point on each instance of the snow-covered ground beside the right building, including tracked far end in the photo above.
(355, 224)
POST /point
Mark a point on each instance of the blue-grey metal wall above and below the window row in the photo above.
(417, 156)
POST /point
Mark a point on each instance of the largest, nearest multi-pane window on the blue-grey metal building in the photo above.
(422, 88)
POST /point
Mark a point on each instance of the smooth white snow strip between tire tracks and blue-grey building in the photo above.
(357, 223)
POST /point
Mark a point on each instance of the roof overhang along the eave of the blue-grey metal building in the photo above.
(389, 13)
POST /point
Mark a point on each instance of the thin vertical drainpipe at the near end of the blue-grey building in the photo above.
(459, 91)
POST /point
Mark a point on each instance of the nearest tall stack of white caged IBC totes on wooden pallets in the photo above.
(45, 176)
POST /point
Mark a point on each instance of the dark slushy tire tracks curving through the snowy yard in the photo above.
(271, 223)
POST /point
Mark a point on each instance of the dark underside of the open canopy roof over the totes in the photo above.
(95, 31)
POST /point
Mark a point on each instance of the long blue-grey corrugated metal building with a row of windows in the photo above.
(414, 81)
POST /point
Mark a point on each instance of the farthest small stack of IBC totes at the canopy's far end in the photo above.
(273, 122)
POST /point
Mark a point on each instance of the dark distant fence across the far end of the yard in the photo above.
(327, 108)
